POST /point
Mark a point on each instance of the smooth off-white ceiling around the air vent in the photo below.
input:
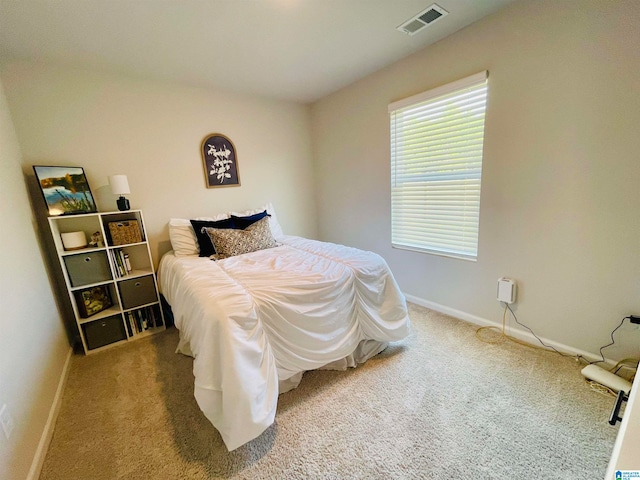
(297, 50)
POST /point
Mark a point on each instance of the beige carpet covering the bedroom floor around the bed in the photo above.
(440, 404)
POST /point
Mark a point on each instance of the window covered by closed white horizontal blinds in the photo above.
(436, 165)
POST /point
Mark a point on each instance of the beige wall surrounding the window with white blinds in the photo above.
(560, 207)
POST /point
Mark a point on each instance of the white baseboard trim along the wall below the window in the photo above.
(518, 333)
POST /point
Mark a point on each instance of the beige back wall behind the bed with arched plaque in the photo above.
(152, 133)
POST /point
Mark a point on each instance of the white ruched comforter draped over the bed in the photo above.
(255, 322)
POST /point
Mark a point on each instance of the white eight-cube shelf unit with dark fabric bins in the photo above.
(135, 309)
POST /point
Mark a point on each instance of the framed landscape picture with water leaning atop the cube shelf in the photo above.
(65, 190)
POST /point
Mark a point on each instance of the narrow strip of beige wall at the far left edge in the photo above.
(33, 343)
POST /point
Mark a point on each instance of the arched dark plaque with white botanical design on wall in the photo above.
(220, 161)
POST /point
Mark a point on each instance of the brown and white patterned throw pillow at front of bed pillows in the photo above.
(230, 242)
